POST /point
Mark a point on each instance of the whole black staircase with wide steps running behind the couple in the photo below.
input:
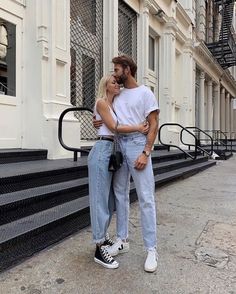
(43, 201)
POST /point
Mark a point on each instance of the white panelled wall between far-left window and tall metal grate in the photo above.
(44, 75)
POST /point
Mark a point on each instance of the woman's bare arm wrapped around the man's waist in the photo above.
(104, 111)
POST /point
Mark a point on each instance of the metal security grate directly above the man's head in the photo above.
(127, 33)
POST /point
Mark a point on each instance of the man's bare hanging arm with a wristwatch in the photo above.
(153, 120)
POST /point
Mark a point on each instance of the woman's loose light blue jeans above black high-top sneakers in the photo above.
(101, 198)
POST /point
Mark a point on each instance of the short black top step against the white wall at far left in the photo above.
(21, 155)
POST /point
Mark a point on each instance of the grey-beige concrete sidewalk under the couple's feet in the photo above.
(197, 247)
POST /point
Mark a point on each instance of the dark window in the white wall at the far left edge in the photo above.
(7, 58)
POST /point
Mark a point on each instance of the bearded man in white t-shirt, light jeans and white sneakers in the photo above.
(133, 105)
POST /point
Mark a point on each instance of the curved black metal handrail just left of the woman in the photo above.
(60, 121)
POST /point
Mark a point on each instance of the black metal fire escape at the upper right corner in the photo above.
(224, 49)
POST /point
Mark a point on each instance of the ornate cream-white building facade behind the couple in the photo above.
(54, 52)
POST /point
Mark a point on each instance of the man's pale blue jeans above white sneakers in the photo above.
(132, 146)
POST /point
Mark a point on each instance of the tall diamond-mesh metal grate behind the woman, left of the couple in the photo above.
(86, 58)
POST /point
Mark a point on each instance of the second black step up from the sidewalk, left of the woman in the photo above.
(22, 203)
